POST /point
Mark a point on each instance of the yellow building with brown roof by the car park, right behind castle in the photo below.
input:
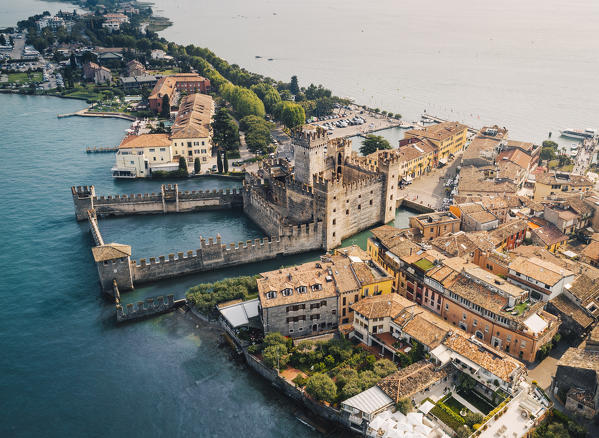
(448, 137)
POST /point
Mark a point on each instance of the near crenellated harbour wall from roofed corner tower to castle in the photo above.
(214, 255)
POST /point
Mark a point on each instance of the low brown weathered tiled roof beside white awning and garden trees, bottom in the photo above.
(411, 380)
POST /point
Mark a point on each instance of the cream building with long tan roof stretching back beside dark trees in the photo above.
(191, 133)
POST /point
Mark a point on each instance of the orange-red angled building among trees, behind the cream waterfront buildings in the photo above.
(170, 86)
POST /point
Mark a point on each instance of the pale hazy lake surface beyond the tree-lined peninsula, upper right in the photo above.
(527, 65)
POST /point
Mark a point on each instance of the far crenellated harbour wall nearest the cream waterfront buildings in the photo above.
(169, 200)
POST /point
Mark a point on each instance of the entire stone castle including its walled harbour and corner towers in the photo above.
(329, 195)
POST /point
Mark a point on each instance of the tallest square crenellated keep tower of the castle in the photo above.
(309, 153)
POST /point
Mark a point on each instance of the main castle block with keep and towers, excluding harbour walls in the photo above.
(328, 185)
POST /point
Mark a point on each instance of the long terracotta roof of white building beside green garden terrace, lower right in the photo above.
(494, 361)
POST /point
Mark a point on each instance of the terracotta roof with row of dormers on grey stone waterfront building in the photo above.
(307, 275)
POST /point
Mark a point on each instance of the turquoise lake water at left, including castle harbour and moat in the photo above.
(67, 368)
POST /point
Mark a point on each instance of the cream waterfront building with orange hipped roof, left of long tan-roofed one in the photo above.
(140, 155)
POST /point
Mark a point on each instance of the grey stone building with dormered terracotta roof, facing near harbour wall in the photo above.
(298, 301)
